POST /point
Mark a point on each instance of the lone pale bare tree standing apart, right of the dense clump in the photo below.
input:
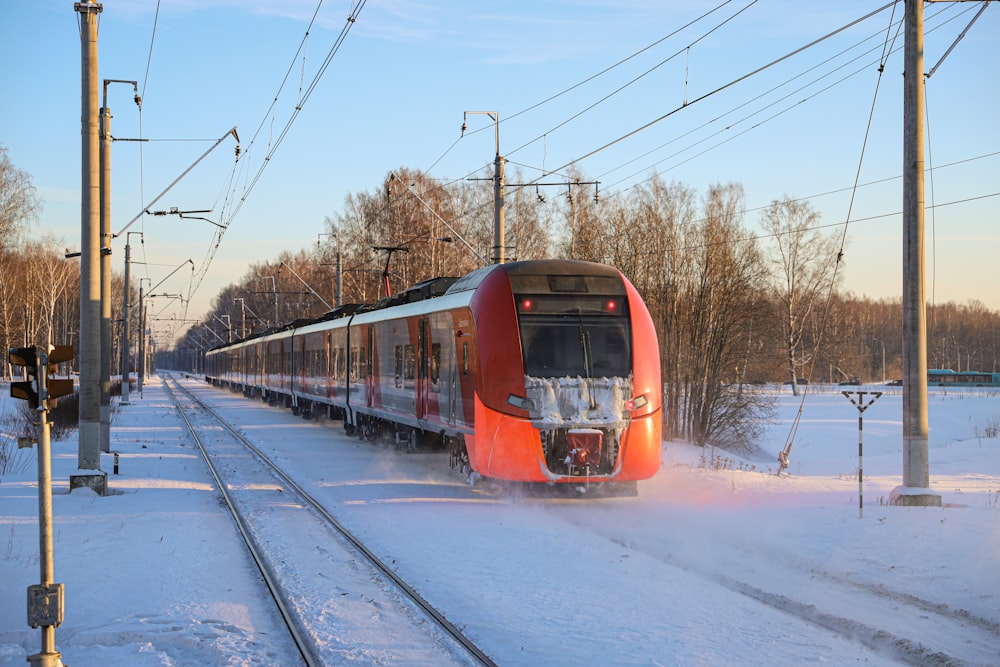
(804, 264)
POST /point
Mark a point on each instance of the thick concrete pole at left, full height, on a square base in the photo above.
(89, 453)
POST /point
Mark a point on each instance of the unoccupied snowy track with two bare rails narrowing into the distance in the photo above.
(298, 614)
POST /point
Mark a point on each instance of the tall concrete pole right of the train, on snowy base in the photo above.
(915, 490)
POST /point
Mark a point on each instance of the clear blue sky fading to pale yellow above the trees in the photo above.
(395, 92)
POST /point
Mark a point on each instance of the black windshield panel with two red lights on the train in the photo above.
(575, 335)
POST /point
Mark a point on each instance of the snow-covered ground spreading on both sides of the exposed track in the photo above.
(717, 562)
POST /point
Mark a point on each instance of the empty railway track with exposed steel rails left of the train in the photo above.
(311, 565)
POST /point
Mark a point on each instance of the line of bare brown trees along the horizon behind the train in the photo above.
(737, 302)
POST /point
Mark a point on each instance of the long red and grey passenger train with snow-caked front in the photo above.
(537, 371)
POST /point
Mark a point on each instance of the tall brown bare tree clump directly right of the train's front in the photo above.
(700, 278)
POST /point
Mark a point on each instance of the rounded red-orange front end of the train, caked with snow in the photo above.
(569, 382)
